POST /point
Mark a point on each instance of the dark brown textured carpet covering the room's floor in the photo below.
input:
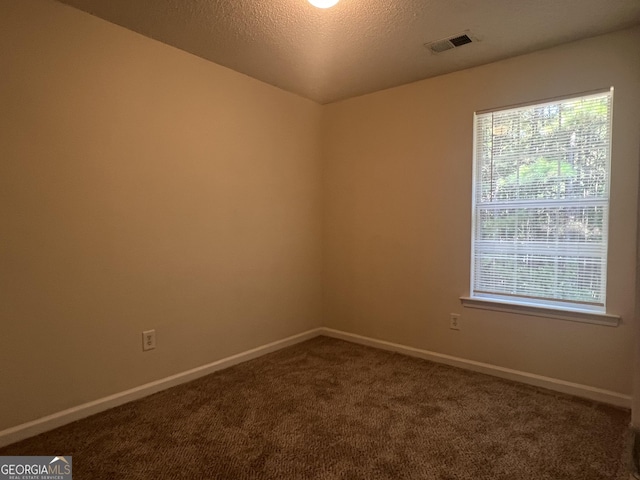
(327, 409)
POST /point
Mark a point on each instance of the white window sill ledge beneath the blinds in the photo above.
(539, 311)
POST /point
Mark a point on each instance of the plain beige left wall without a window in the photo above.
(142, 187)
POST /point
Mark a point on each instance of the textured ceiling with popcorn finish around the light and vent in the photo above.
(359, 46)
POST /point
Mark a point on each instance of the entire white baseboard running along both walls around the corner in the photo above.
(44, 424)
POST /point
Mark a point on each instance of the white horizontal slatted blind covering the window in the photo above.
(541, 203)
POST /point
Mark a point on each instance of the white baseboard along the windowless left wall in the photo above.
(44, 424)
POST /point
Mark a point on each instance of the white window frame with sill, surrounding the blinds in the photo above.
(565, 310)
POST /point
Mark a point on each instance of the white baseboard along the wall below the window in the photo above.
(576, 389)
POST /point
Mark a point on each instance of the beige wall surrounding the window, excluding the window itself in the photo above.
(397, 196)
